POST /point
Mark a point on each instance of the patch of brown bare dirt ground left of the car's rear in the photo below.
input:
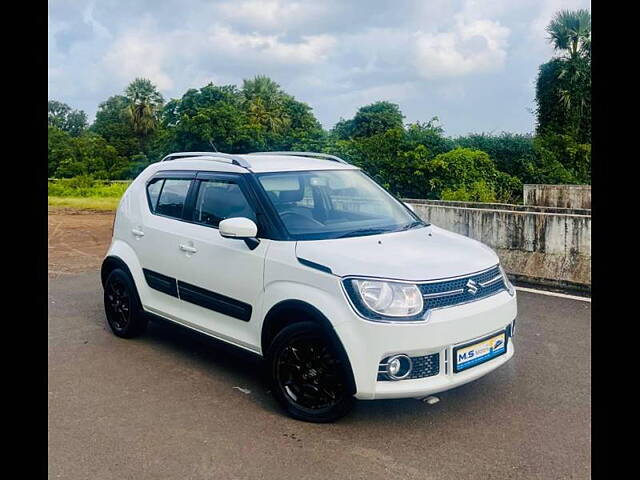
(78, 240)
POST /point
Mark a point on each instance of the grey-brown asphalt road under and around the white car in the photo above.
(165, 406)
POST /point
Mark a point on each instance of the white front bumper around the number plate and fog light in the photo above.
(367, 343)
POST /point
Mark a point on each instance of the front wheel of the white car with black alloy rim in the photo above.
(308, 374)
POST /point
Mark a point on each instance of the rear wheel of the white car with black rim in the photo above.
(122, 306)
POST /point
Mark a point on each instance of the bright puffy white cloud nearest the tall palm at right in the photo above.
(475, 46)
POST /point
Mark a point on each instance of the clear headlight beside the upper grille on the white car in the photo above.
(378, 299)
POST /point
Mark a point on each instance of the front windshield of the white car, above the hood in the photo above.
(324, 204)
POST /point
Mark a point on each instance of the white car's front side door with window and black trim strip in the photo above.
(220, 280)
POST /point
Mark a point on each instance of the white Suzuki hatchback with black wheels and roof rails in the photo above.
(303, 259)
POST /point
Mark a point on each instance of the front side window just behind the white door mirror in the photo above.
(219, 199)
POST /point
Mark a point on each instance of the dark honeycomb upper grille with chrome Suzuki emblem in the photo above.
(447, 293)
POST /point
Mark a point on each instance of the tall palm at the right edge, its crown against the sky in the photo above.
(570, 34)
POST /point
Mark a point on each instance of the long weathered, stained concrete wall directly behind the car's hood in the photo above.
(546, 248)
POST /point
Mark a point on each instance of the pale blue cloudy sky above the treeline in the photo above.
(471, 63)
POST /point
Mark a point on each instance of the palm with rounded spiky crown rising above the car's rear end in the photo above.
(144, 106)
